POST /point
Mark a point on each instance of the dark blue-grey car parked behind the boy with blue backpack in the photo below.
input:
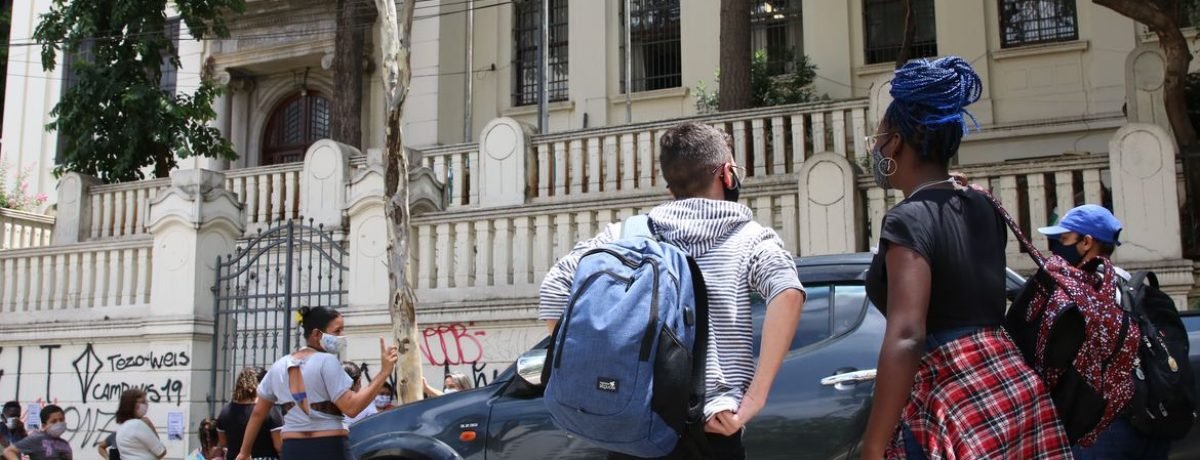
(818, 408)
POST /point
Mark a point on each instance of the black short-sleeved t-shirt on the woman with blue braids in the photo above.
(963, 238)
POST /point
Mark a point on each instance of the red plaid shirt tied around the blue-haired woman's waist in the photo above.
(976, 398)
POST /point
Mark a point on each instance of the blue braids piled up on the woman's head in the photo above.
(929, 101)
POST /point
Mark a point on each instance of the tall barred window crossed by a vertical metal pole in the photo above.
(526, 37)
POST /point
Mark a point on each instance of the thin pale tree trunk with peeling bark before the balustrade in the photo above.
(398, 32)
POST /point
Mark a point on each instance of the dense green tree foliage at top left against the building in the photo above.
(117, 121)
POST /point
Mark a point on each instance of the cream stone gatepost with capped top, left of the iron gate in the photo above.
(194, 222)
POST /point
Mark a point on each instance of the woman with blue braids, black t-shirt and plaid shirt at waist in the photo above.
(951, 384)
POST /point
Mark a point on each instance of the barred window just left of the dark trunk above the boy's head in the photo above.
(656, 62)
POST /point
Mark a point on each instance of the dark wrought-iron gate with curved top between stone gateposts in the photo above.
(259, 289)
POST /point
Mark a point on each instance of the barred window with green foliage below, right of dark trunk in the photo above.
(777, 28)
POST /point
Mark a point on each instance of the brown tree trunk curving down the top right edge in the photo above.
(1165, 20)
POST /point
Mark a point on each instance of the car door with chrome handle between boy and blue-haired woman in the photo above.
(805, 420)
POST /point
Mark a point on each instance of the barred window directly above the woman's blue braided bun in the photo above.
(884, 22)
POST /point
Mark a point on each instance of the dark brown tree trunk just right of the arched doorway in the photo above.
(353, 19)
